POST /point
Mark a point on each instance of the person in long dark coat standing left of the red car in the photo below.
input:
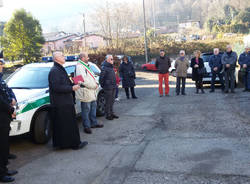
(127, 75)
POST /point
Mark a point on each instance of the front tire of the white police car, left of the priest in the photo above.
(42, 128)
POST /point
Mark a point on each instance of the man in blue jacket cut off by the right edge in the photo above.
(244, 62)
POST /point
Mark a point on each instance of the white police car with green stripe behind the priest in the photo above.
(30, 85)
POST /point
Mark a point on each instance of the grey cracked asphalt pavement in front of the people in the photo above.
(170, 140)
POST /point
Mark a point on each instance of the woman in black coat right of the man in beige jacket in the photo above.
(197, 64)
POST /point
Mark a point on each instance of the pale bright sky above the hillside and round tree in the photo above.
(56, 15)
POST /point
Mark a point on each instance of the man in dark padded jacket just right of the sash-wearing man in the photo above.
(108, 83)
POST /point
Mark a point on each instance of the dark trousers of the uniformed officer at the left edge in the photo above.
(4, 143)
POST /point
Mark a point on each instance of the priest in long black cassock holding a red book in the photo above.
(65, 128)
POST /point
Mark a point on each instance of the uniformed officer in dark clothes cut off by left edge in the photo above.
(7, 112)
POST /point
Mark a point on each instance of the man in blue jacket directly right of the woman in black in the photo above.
(216, 67)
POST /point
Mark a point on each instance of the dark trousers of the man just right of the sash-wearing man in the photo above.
(110, 99)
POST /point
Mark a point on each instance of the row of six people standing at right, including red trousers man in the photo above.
(222, 66)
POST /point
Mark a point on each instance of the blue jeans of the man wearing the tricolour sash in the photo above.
(89, 114)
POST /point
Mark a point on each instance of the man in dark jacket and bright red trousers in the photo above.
(163, 64)
